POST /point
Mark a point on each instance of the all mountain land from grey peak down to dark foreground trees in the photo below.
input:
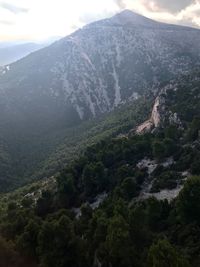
(129, 192)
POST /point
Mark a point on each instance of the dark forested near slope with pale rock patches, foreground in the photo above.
(93, 214)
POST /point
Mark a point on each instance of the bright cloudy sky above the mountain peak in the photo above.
(38, 20)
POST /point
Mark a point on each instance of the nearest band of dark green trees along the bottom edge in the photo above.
(148, 233)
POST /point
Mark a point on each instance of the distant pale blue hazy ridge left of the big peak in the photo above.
(11, 53)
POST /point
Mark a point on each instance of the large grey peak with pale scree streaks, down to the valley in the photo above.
(105, 64)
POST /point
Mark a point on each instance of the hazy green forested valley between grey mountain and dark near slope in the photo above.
(32, 154)
